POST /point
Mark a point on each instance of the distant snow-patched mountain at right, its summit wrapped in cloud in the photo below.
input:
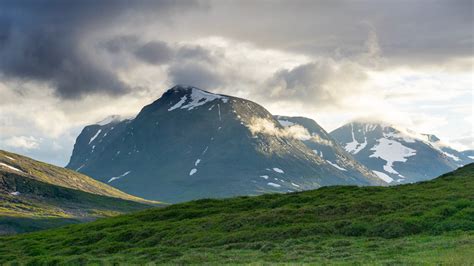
(394, 154)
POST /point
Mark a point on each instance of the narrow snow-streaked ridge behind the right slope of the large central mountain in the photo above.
(323, 145)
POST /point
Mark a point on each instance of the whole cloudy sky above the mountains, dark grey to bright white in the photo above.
(67, 64)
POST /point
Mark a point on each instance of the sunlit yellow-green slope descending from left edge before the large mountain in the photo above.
(36, 195)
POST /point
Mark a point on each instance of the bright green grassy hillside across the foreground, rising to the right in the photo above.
(430, 222)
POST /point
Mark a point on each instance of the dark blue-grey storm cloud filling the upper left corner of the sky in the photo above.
(44, 41)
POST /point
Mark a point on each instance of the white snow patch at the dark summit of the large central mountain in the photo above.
(195, 98)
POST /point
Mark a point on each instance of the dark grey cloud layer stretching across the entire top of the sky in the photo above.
(53, 40)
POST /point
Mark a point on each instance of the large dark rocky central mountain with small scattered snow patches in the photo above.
(192, 144)
